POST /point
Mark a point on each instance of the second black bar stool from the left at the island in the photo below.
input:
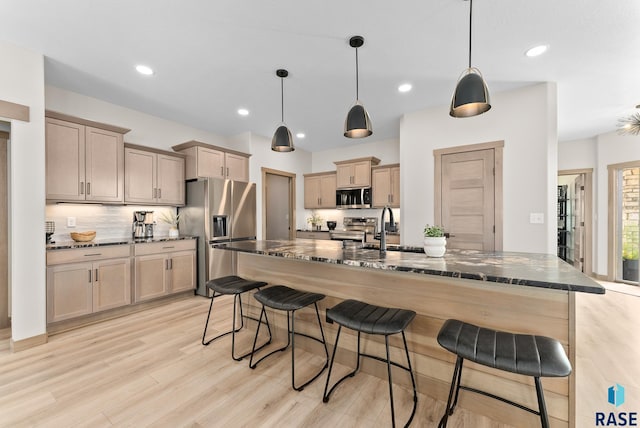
(287, 299)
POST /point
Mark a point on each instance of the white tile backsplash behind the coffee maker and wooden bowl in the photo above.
(109, 221)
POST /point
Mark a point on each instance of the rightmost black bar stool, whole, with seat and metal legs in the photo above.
(525, 354)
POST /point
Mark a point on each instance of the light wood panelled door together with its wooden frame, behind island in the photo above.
(468, 195)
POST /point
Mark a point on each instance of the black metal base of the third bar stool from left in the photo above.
(389, 363)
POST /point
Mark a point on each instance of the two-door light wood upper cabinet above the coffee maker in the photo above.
(153, 176)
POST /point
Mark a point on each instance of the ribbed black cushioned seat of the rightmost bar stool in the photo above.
(525, 354)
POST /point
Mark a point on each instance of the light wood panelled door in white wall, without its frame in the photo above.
(468, 199)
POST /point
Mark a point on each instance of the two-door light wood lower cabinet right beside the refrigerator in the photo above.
(163, 268)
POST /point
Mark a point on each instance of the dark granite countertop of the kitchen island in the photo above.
(526, 269)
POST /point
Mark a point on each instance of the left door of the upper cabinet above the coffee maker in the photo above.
(139, 183)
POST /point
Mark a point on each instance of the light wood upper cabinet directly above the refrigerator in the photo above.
(206, 160)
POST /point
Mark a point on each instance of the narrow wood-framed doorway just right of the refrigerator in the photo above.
(278, 203)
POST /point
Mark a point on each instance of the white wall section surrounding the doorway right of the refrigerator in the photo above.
(297, 162)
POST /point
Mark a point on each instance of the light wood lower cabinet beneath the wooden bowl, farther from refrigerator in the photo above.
(77, 289)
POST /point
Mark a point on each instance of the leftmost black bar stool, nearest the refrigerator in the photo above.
(232, 285)
